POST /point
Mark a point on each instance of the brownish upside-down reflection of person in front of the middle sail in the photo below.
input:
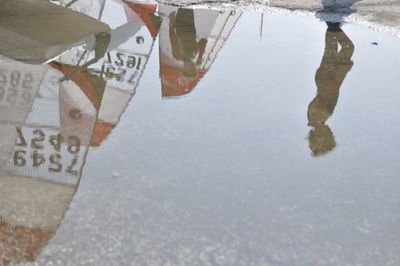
(185, 47)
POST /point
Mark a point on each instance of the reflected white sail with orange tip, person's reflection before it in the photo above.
(189, 43)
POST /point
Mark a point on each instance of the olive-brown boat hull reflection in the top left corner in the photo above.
(27, 37)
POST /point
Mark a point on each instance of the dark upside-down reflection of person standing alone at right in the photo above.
(335, 65)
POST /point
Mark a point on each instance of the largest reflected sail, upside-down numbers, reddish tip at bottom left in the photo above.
(41, 162)
